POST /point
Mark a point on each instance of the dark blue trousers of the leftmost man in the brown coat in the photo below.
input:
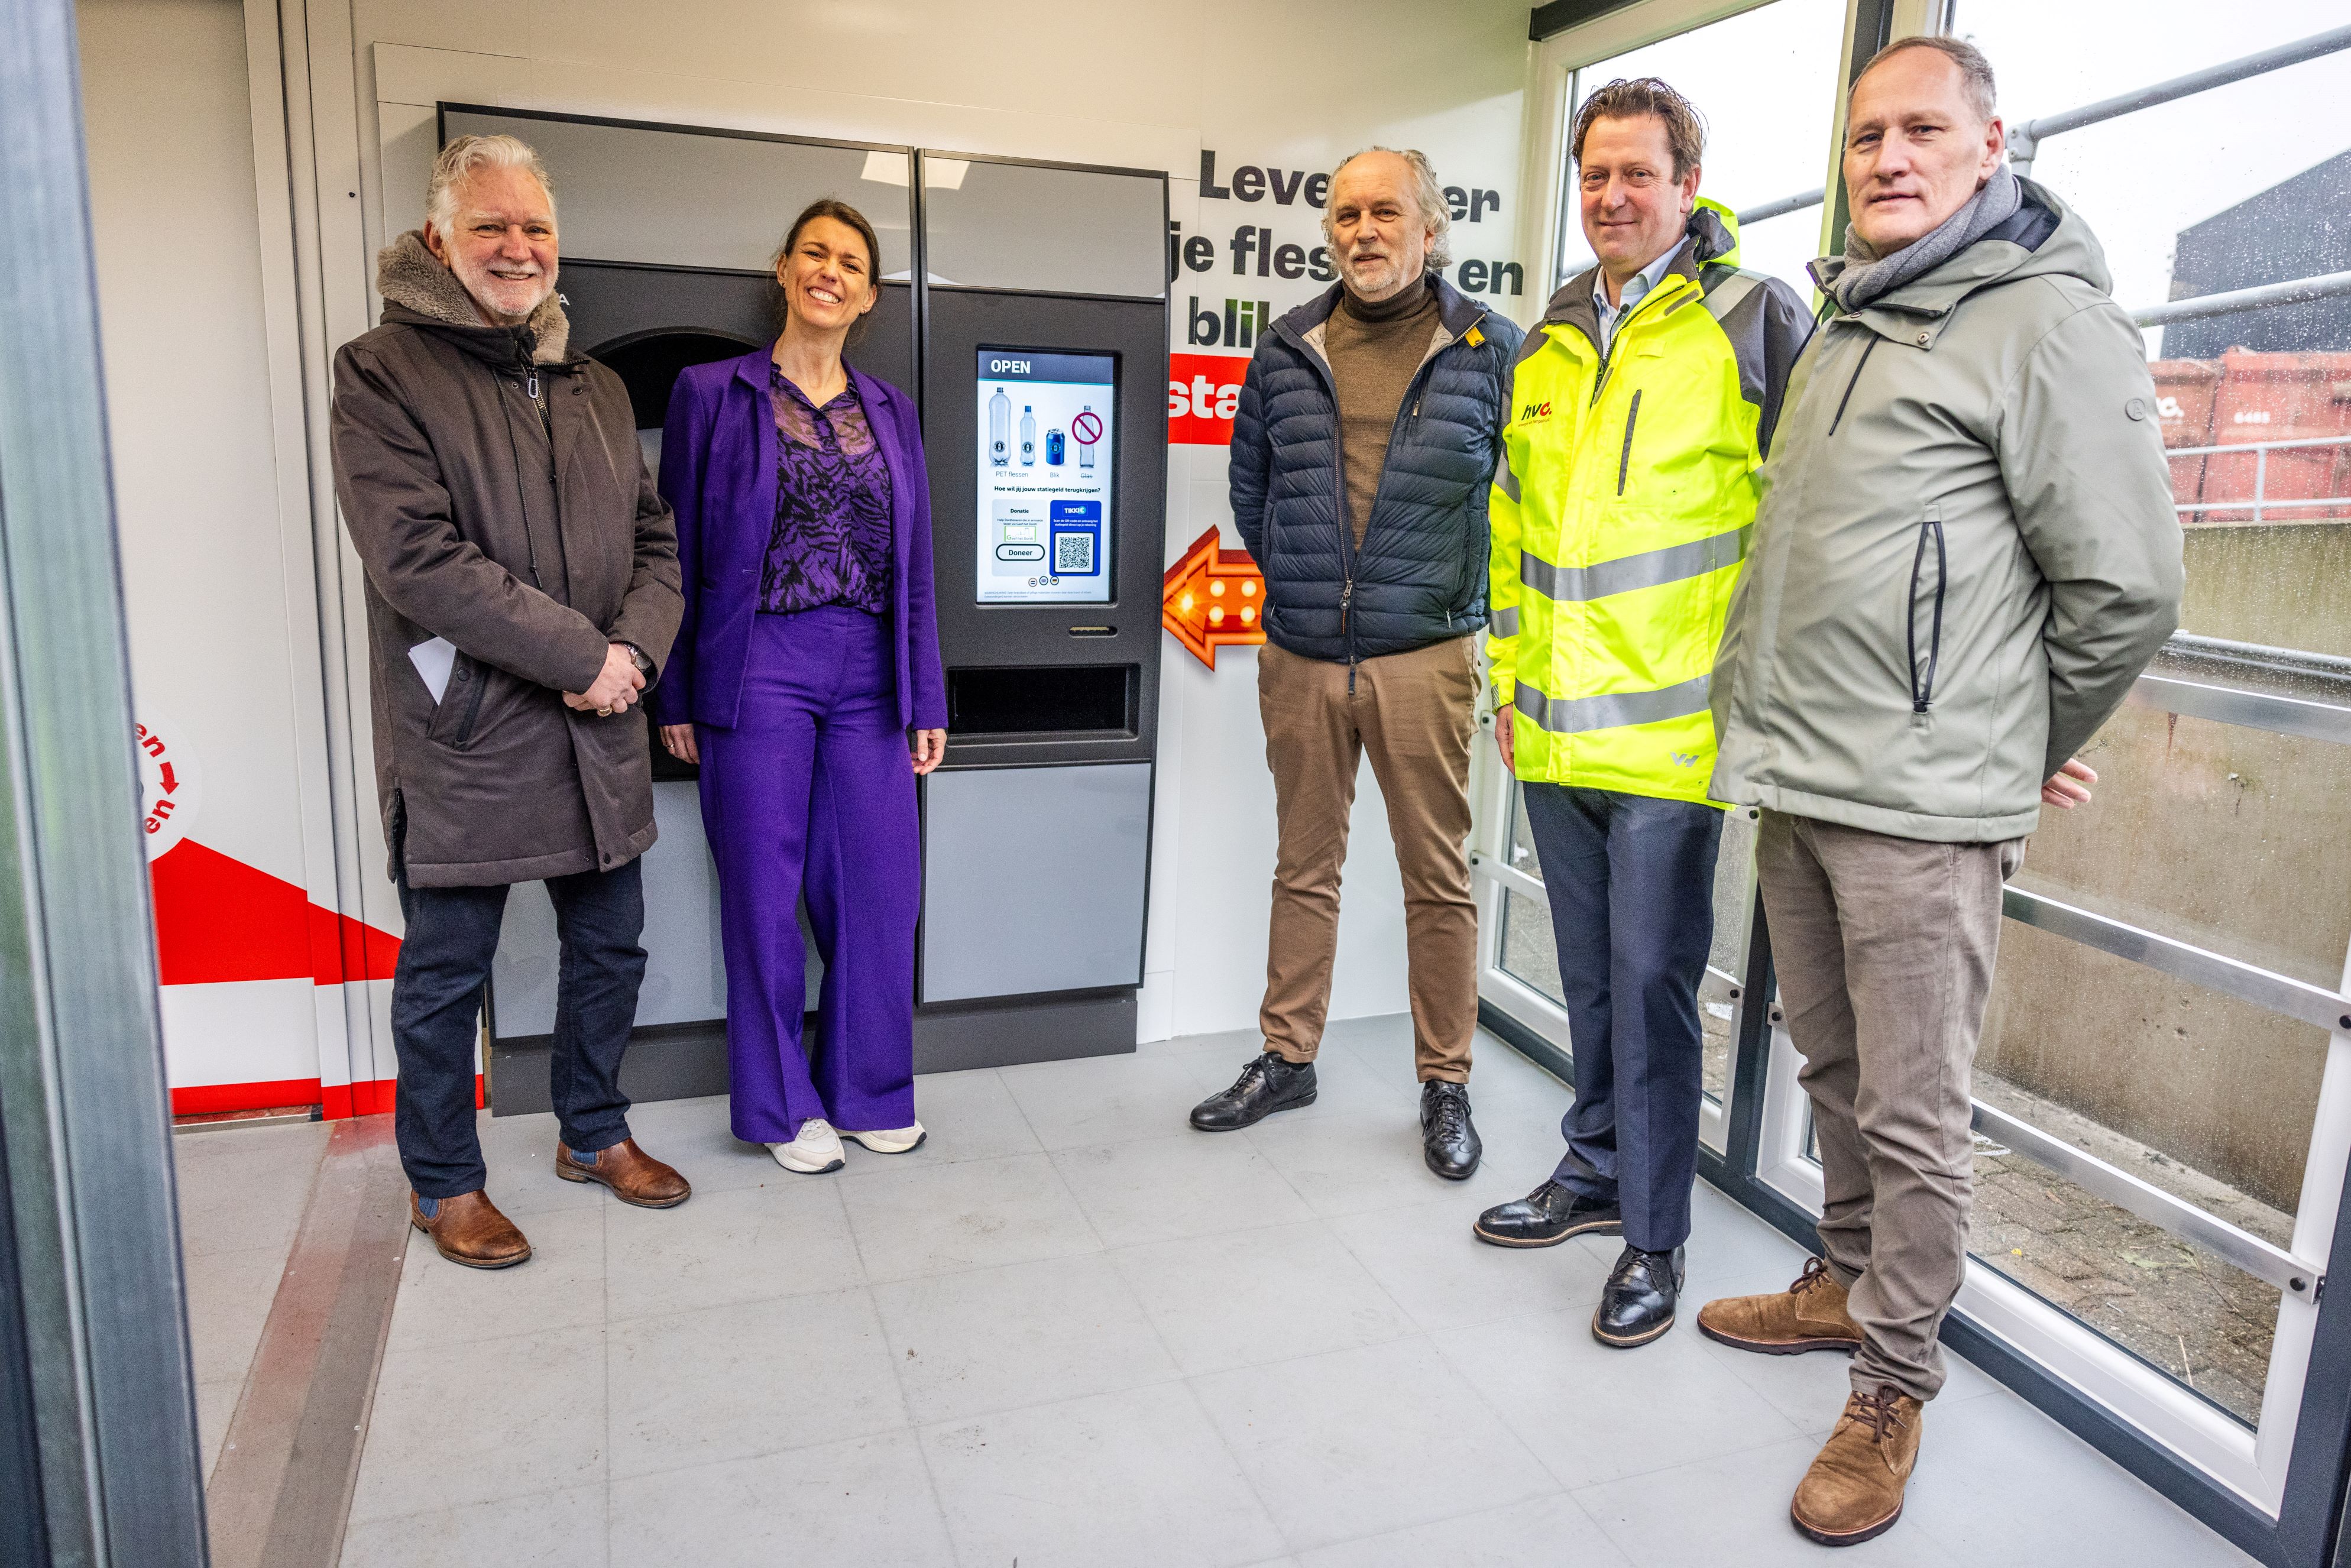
(438, 1012)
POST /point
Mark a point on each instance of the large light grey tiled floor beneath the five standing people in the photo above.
(1076, 1332)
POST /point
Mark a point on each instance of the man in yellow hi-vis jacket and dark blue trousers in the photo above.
(1640, 413)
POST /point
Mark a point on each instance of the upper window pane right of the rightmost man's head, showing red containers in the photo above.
(2195, 199)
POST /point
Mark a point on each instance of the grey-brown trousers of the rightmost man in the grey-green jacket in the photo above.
(1884, 956)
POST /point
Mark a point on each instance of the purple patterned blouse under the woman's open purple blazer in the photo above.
(831, 542)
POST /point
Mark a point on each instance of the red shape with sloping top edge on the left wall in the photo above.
(222, 920)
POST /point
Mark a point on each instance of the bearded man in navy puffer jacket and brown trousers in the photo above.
(1360, 464)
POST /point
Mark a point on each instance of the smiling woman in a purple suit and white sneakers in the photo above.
(808, 688)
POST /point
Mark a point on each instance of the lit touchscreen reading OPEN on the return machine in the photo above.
(1045, 476)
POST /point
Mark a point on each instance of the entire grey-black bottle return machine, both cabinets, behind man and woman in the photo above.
(669, 234)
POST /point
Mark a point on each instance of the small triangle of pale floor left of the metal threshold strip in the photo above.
(241, 1200)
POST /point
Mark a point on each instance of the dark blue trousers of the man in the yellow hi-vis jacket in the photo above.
(1633, 906)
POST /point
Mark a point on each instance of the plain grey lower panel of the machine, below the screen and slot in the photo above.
(1033, 880)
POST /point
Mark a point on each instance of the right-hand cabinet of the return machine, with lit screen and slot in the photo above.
(1045, 422)
